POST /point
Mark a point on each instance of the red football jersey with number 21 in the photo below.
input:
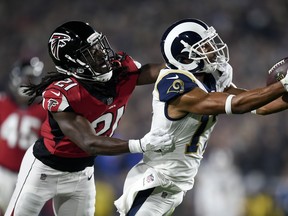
(70, 95)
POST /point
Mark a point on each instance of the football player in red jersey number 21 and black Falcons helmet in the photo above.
(85, 100)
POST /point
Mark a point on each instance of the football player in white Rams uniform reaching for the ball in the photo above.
(189, 94)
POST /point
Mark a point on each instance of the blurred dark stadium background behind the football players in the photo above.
(257, 35)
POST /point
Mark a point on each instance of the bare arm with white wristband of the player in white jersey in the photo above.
(199, 102)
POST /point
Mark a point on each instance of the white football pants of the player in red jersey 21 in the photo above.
(73, 193)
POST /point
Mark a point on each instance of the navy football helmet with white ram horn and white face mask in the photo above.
(192, 45)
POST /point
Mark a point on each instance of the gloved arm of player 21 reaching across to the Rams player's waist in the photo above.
(78, 129)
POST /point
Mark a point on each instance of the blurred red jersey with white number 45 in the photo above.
(20, 128)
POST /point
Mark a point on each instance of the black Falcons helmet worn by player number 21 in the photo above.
(79, 50)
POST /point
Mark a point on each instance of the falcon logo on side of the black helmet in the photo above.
(57, 41)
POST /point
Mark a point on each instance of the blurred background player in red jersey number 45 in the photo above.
(19, 124)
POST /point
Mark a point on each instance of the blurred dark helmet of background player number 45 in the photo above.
(24, 72)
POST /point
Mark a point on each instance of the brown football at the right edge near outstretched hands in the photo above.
(277, 72)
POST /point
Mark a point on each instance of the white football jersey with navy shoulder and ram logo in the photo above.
(191, 132)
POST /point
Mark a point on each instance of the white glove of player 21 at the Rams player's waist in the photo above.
(157, 140)
